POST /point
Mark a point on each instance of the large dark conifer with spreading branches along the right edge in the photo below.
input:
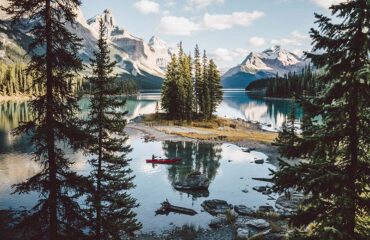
(336, 176)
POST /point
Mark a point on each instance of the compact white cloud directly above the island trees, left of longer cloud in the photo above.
(179, 26)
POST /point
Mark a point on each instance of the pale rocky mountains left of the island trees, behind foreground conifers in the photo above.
(143, 62)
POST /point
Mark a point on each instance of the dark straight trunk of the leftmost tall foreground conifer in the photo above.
(50, 127)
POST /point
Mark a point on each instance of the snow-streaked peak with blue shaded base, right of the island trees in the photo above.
(261, 65)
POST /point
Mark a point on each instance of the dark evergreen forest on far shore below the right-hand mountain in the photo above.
(289, 85)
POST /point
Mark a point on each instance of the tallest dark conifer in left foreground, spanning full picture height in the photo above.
(54, 63)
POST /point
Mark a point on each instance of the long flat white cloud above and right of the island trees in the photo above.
(226, 21)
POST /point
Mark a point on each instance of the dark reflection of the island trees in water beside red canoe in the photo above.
(196, 156)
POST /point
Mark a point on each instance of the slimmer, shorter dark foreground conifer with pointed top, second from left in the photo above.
(110, 205)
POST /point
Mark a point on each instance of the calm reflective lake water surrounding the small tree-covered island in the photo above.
(226, 165)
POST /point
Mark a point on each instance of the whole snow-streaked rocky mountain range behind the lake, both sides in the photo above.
(145, 62)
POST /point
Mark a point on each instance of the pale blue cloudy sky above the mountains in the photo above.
(227, 29)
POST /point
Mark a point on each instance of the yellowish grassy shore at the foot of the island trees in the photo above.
(230, 130)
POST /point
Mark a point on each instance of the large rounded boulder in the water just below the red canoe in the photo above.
(193, 181)
